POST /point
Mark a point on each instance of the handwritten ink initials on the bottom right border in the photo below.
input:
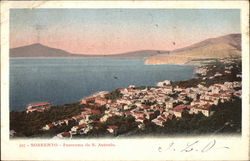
(195, 146)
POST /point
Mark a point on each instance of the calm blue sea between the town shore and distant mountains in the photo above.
(67, 80)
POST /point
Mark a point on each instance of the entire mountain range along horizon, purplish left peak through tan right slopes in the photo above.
(219, 47)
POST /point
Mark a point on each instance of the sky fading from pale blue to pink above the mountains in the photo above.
(112, 31)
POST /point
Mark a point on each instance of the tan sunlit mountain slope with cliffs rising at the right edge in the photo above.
(213, 48)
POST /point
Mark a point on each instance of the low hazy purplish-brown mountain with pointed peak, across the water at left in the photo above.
(39, 50)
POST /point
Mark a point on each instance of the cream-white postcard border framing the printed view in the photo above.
(124, 149)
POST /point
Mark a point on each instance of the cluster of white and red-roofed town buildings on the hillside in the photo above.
(144, 103)
